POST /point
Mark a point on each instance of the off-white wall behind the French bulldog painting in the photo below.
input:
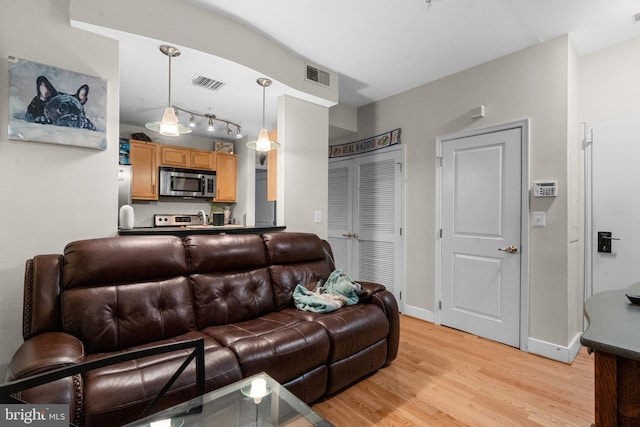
(50, 194)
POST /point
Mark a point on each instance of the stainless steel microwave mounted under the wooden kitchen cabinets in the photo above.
(187, 183)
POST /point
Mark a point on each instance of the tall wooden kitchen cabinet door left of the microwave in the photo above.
(144, 170)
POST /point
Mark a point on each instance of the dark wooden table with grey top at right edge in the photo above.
(614, 334)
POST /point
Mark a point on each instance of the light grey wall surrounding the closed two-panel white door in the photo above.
(532, 83)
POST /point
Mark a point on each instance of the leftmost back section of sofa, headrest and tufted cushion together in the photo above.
(124, 291)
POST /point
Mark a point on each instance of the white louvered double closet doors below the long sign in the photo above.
(365, 217)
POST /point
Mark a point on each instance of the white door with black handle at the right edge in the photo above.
(615, 173)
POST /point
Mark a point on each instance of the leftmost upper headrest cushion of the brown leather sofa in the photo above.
(123, 259)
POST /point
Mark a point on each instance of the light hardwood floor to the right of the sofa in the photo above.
(445, 377)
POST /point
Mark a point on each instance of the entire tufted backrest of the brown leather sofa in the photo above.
(119, 292)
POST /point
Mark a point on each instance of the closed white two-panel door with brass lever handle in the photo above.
(481, 228)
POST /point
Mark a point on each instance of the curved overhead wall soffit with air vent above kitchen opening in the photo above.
(187, 25)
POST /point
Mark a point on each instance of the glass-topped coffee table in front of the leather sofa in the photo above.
(258, 400)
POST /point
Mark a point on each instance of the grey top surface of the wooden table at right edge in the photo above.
(614, 323)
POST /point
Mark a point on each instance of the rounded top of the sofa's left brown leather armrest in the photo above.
(45, 352)
